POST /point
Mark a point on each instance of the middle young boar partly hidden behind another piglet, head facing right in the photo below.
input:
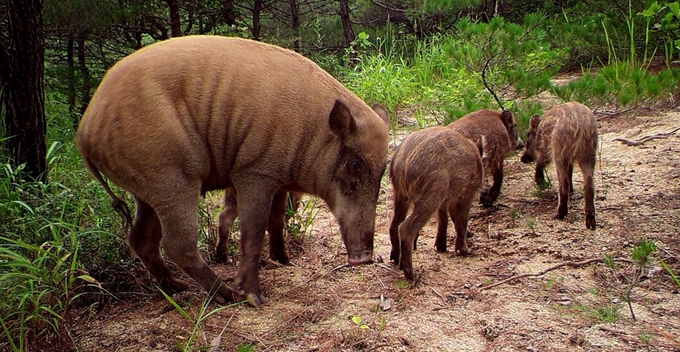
(500, 129)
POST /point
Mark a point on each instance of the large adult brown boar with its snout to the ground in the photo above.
(188, 115)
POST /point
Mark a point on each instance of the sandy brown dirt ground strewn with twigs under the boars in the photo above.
(318, 304)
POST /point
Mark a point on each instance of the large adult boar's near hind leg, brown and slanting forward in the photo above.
(179, 218)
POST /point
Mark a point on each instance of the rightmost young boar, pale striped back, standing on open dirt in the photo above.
(566, 133)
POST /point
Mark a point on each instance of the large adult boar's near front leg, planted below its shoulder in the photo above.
(255, 204)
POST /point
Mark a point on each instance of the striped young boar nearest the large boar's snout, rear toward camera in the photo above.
(434, 169)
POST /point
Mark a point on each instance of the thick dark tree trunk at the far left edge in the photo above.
(23, 96)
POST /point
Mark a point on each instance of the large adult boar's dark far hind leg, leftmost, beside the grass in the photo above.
(145, 241)
